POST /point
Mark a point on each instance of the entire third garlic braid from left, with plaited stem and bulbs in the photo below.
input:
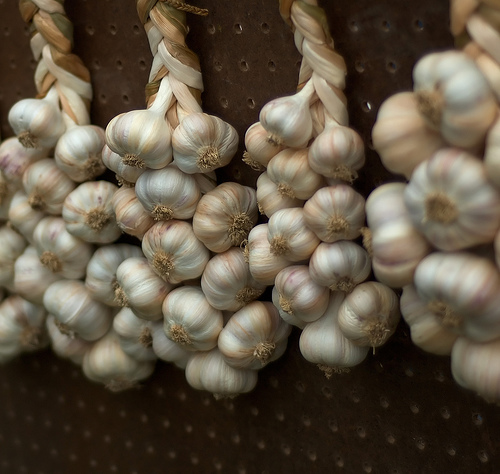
(310, 158)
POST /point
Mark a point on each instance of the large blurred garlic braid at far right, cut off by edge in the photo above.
(437, 236)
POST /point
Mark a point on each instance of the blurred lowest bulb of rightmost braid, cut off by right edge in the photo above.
(475, 366)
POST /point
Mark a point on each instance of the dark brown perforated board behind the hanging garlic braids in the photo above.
(399, 412)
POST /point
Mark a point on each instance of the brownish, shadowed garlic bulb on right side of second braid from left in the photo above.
(225, 216)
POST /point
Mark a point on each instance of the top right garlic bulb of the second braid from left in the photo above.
(203, 143)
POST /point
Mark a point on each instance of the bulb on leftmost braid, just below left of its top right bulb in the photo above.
(46, 186)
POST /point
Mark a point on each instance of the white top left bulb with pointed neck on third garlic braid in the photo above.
(288, 120)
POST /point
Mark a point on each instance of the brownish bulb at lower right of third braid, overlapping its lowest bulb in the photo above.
(369, 314)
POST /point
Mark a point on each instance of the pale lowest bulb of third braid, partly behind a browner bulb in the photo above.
(322, 342)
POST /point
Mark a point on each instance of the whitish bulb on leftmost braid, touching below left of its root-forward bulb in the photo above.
(59, 251)
